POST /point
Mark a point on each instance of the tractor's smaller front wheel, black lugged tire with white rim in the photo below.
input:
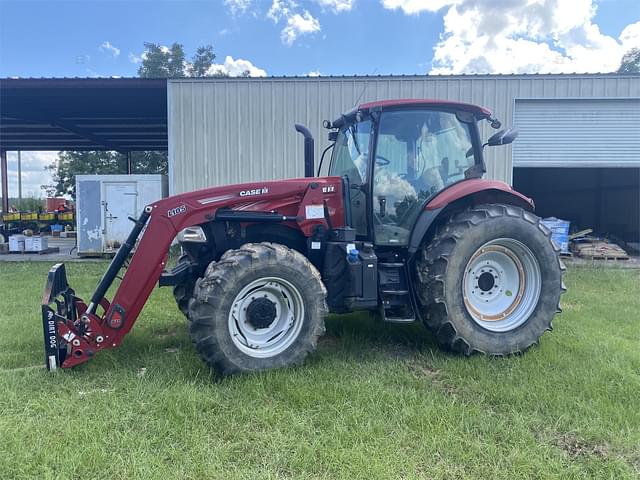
(260, 307)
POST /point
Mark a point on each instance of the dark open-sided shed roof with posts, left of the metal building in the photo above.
(119, 114)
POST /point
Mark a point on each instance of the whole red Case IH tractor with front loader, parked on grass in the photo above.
(403, 223)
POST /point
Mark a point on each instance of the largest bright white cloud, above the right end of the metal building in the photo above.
(521, 36)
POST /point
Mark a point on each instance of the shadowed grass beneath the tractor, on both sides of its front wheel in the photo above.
(351, 338)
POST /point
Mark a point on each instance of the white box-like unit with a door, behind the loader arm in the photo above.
(104, 204)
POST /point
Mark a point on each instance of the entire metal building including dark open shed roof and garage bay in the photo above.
(578, 154)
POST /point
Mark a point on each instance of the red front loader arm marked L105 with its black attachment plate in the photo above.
(75, 331)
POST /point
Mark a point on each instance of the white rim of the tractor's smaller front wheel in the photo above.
(266, 317)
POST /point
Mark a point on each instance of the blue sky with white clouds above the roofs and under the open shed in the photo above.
(89, 38)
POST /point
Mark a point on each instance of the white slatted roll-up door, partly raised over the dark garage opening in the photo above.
(577, 133)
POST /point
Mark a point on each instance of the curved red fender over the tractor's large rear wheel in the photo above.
(460, 196)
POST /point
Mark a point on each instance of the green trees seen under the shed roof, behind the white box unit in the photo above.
(70, 164)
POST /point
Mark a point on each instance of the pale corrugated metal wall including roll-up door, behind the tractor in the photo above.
(237, 129)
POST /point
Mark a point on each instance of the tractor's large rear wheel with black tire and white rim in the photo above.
(490, 281)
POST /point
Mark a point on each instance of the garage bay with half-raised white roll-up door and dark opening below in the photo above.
(579, 159)
